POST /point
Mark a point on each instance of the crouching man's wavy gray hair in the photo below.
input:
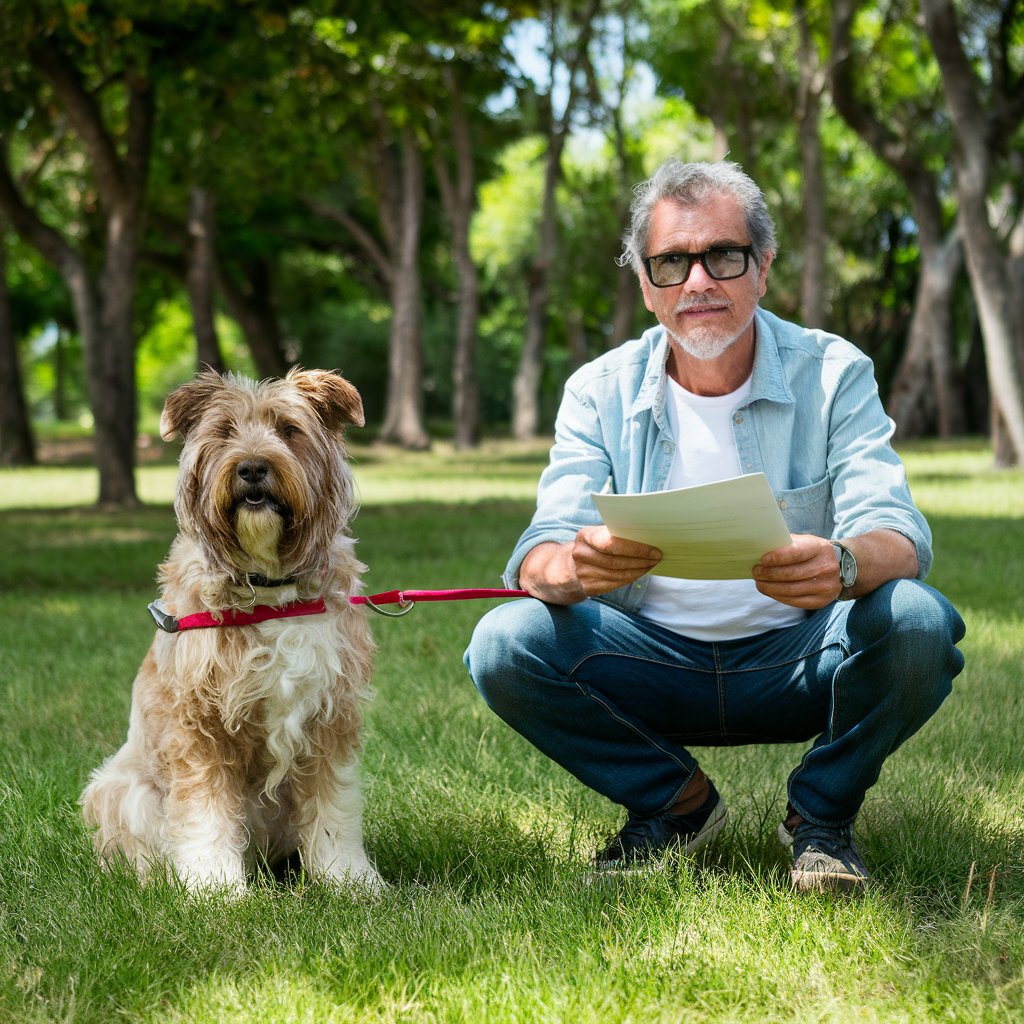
(692, 185)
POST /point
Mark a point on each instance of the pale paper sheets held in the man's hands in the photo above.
(711, 532)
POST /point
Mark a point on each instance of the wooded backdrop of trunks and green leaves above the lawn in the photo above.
(431, 197)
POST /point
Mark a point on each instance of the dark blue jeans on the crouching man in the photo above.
(618, 701)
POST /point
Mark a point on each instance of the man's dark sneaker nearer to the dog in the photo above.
(645, 841)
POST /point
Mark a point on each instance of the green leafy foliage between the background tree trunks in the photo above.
(271, 106)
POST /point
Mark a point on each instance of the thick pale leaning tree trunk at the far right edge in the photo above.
(987, 110)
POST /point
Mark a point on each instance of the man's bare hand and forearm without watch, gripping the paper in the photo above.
(593, 564)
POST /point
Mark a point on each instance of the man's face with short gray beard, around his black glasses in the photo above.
(705, 317)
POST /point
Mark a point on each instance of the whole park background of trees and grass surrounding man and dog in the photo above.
(431, 197)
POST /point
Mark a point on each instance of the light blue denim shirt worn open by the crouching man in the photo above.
(814, 424)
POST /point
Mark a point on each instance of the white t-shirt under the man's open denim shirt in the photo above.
(706, 451)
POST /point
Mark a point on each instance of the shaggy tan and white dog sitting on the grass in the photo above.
(244, 732)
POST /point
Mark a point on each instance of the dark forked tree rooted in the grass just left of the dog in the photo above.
(73, 67)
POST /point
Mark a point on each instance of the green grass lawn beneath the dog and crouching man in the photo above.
(489, 917)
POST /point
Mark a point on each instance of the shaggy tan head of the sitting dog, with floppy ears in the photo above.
(264, 482)
